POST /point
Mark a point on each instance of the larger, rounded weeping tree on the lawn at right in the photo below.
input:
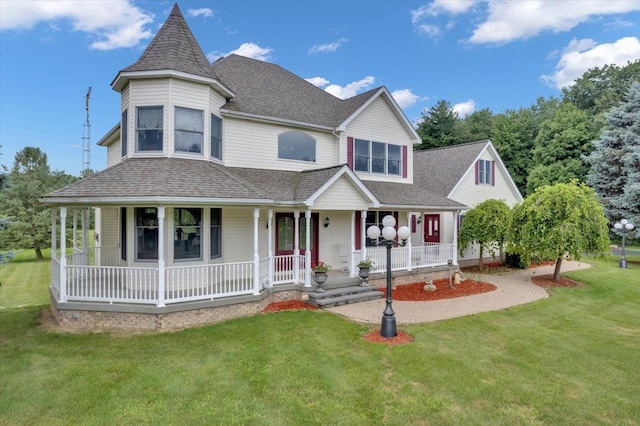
(563, 219)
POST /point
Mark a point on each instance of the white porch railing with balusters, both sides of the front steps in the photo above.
(88, 280)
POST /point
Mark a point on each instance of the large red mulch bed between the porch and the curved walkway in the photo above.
(415, 291)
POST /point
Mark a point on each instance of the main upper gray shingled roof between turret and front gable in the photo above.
(269, 90)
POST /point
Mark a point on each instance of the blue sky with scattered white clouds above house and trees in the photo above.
(475, 54)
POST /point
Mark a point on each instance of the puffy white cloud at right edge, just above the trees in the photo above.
(582, 55)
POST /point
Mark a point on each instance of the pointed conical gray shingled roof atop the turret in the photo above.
(174, 48)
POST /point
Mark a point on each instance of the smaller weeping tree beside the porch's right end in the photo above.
(486, 226)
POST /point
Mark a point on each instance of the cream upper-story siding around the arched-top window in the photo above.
(253, 144)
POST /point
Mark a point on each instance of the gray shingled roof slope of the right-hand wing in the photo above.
(439, 170)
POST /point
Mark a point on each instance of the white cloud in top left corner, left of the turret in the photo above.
(114, 24)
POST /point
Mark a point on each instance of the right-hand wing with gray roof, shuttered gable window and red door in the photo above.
(469, 174)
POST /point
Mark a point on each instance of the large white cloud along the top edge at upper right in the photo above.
(512, 20)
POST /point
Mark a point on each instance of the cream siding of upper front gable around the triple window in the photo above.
(379, 123)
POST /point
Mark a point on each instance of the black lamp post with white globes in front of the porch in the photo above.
(388, 326)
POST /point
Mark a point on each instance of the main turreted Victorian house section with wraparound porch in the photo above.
(225, 184)
